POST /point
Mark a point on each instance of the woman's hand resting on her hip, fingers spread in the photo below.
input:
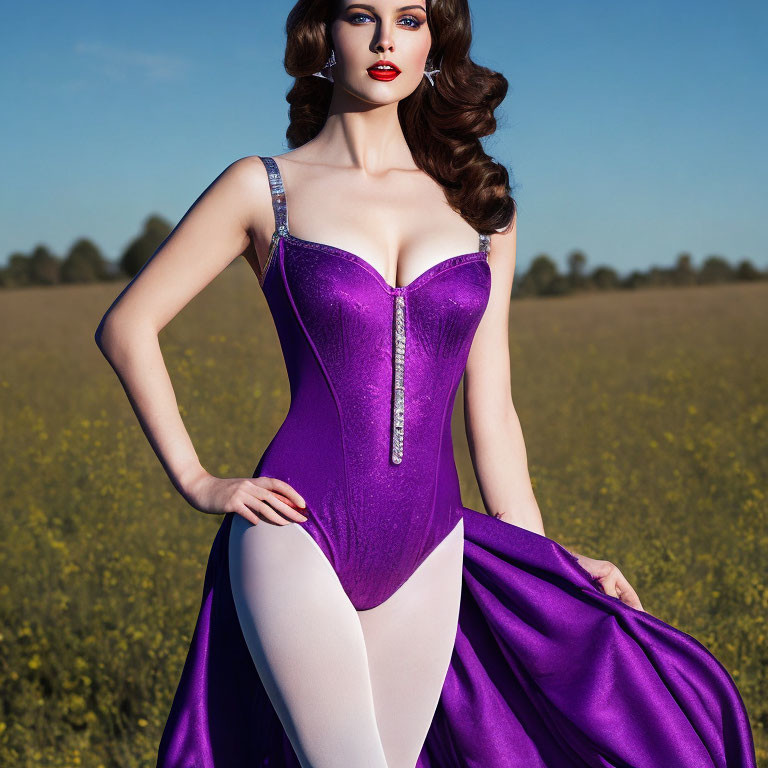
(253, 498)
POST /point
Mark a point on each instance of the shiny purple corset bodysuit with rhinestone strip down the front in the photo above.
(373, 372)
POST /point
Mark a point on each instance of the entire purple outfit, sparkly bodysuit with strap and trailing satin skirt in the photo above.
(547, 670)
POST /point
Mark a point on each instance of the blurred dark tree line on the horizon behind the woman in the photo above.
(85, 263)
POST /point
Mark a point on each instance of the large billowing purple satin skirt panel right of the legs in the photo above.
(549, 671)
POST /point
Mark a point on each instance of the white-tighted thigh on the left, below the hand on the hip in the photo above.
(307, 644)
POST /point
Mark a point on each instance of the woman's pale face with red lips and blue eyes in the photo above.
(365, 34)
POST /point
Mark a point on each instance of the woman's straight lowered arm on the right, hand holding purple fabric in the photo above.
(494, 434)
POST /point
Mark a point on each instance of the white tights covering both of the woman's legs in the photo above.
(351, 688)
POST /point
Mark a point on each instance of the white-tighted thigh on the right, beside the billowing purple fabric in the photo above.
(410, 639)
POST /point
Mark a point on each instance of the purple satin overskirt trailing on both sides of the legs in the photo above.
(548, 672)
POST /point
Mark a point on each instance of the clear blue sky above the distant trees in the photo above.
(633, 131)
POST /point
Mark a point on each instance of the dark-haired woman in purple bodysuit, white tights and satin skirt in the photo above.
(354, 612)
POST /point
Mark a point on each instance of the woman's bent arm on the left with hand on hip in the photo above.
(213, 232)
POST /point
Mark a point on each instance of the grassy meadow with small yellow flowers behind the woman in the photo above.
(646, 424)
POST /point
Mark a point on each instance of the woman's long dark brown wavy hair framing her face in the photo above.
(442, 124)
